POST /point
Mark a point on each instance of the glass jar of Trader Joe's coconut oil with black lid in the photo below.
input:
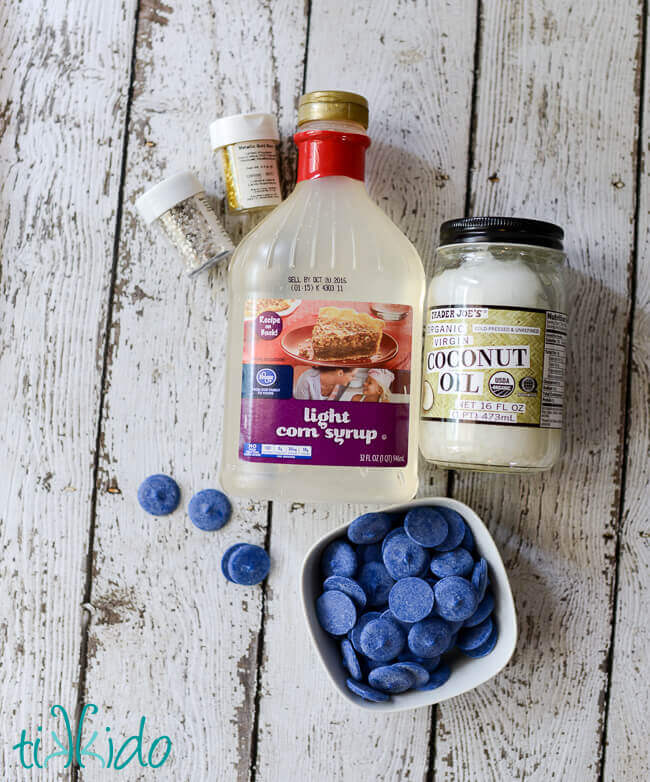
(494, 346)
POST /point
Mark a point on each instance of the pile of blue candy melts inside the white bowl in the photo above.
(404, 594)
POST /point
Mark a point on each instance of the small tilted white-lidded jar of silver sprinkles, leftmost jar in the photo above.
(180, 208)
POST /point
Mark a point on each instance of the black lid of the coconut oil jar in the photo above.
(502, 230)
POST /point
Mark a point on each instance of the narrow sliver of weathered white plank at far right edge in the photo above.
(627, 753)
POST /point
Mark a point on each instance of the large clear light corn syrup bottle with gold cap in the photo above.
(324, 333)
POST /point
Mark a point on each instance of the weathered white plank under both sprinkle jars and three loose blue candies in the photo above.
(169, 638)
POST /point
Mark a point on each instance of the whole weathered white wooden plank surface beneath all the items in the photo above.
(551, 131)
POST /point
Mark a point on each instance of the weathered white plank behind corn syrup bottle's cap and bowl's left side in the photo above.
(414, 63)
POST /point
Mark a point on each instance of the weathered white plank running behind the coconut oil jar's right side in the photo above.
(555, 126)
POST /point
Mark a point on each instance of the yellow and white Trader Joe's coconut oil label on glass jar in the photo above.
(494, 365)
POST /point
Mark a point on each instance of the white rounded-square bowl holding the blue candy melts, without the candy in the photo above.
(466, 673)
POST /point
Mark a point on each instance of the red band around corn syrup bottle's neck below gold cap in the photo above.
(330, 153)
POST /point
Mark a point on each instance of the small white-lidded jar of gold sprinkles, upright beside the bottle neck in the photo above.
(248, 147)
